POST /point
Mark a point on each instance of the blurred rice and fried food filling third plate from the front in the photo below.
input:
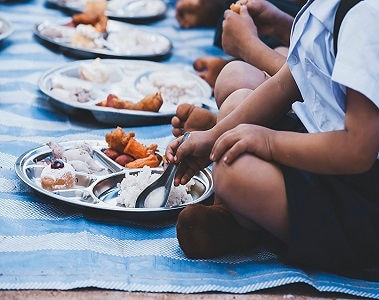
(117, 38)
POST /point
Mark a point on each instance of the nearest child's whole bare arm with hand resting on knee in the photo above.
(351, 150)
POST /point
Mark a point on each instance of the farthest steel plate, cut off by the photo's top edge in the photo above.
(135, 11)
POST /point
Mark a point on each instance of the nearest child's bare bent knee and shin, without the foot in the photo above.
(255, 190)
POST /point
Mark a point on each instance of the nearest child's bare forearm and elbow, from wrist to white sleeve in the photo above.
(352, 150)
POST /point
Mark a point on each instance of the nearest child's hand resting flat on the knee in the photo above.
(244, 138)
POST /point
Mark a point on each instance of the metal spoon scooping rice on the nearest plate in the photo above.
(162, 186)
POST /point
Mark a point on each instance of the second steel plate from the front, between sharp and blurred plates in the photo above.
(129, 79)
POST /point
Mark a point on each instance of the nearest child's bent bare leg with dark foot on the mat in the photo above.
(246, 208)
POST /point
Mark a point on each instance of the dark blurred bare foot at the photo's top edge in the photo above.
(198, 13)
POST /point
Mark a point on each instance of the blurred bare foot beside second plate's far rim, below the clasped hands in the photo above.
(208, 68)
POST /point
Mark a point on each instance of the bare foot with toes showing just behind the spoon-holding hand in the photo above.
(190, 117)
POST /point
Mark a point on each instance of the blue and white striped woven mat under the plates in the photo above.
(46, 245)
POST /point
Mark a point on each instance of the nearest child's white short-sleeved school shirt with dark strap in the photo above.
(321, 78)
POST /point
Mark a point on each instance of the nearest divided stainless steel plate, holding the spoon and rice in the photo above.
(97, 191)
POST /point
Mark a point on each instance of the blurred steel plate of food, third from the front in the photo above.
(122, 40)
